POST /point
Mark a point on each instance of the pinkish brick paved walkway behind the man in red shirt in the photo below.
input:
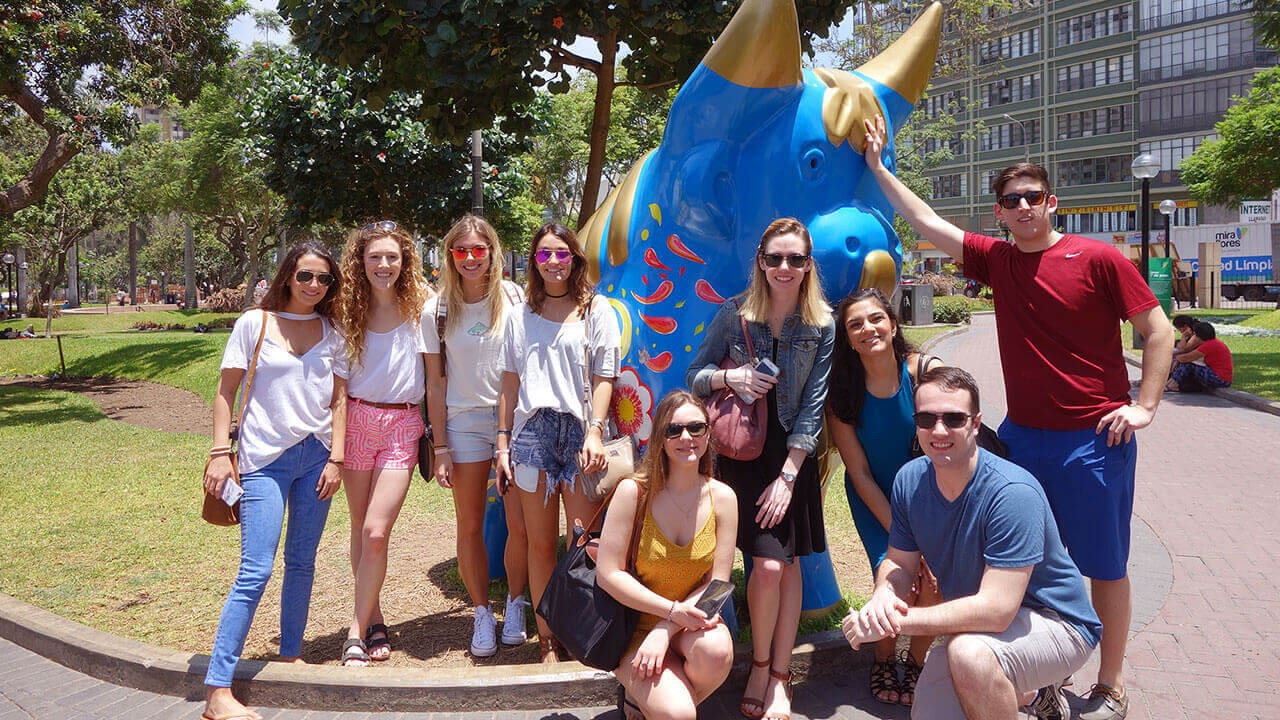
(1208, 487)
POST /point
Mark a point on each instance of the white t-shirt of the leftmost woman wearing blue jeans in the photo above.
(291, 394)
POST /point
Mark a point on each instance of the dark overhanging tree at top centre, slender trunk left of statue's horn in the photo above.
(474, 62)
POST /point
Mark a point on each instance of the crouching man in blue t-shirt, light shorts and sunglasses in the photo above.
(1014, 605)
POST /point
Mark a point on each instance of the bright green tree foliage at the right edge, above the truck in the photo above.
(1245, 161)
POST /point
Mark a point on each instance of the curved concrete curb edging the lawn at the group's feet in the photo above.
(144, 667)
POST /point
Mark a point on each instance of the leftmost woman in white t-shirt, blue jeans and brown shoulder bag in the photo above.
(295, 416)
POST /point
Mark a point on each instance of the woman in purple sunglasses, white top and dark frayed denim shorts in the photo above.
(542, 439)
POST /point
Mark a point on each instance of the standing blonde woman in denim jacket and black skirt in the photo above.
(779, 494)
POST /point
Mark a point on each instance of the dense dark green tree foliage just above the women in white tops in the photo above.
(337, 160)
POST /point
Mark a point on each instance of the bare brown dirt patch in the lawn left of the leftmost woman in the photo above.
(138, 403)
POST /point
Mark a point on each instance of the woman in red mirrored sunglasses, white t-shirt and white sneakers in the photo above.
(463, 382)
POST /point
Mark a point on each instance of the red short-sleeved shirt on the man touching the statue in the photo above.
(1058, 318)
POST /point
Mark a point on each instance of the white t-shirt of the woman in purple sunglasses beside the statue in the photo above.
(548, 357)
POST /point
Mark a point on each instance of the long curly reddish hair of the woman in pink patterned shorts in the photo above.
(412, 289)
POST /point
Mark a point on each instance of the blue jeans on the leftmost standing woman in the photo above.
(290, 481)
